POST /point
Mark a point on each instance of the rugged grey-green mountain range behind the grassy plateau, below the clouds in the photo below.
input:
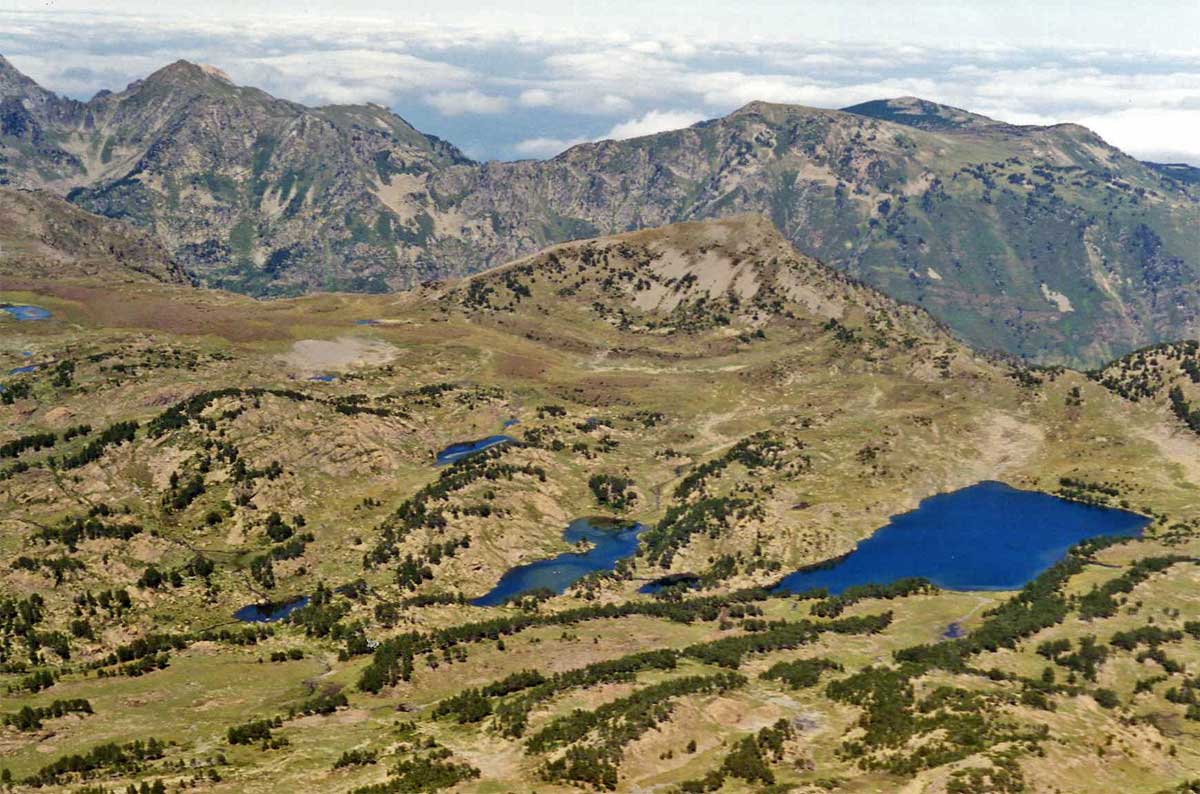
(1041, 242)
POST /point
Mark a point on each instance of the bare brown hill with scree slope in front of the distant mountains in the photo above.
(736, 274)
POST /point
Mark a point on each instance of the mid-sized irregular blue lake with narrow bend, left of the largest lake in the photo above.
(611, 542)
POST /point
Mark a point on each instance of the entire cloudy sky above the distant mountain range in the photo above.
(507, 81)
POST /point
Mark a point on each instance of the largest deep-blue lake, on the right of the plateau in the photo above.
(988, 537)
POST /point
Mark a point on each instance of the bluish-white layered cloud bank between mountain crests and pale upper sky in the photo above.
(509, 94)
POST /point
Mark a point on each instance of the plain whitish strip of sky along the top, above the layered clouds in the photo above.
(1114, 25)
